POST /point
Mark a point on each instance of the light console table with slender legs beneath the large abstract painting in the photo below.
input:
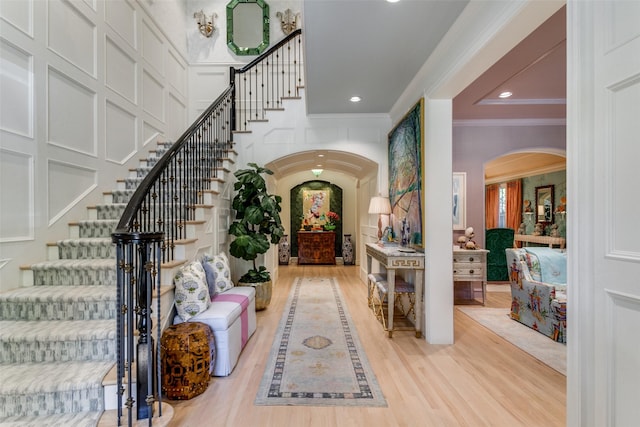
(394, 258)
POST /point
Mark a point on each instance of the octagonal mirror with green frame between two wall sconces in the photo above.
(247, 26)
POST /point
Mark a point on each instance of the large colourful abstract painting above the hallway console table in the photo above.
(405, 176)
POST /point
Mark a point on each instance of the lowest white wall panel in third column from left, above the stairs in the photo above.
(121, 135)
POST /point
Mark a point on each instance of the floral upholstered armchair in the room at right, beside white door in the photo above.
(538, 289)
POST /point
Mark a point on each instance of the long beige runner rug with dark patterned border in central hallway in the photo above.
(316, 358)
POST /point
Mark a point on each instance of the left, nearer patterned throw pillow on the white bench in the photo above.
(191, 292)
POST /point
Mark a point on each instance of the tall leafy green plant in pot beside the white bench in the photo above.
(256, 227)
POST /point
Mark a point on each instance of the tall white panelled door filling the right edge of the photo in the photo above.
(603, 140)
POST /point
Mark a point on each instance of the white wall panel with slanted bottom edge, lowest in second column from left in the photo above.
(68, 184)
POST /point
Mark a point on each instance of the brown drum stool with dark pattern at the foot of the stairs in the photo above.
(188, 352)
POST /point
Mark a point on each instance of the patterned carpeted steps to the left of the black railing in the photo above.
(58, 337)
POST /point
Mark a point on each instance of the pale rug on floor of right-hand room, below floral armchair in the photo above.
(549, 352)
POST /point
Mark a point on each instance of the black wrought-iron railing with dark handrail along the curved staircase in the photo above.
(160, 208)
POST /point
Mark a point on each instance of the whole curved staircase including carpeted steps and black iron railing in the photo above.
(64, 359)
